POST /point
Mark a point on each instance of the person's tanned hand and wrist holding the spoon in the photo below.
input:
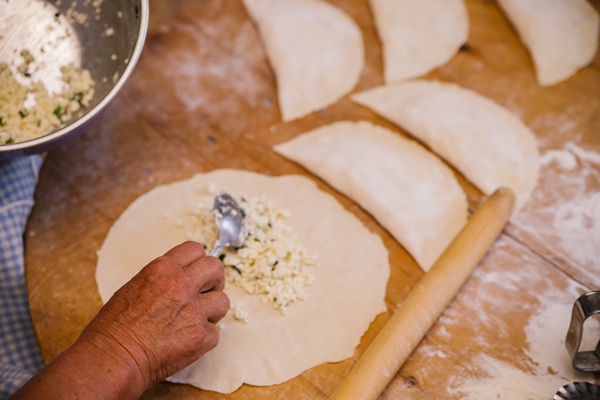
(156, 324)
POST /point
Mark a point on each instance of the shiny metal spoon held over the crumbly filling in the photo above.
(230, 221)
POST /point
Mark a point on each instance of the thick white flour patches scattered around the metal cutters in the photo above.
(545, 361)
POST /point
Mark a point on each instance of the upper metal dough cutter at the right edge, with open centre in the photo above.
(586, 305)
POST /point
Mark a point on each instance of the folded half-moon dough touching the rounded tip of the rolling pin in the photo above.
(483, 140)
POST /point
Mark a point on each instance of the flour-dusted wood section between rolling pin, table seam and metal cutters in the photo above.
(502, 337)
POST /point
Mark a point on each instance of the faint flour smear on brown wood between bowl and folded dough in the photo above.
(202, 79)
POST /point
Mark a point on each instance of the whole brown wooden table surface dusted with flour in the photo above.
(204, 97)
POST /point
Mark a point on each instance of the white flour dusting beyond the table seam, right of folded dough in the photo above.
(562, 220)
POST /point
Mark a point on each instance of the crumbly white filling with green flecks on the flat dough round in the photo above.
(271, 263)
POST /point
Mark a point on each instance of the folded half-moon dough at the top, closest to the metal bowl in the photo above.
(315, 49)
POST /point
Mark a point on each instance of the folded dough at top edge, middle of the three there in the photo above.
(419, 35)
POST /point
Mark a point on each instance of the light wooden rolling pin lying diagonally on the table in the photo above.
(409, 324)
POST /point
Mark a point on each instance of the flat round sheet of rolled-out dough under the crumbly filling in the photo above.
(348, 292)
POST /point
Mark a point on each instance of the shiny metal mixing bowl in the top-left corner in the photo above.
(103, 36)
